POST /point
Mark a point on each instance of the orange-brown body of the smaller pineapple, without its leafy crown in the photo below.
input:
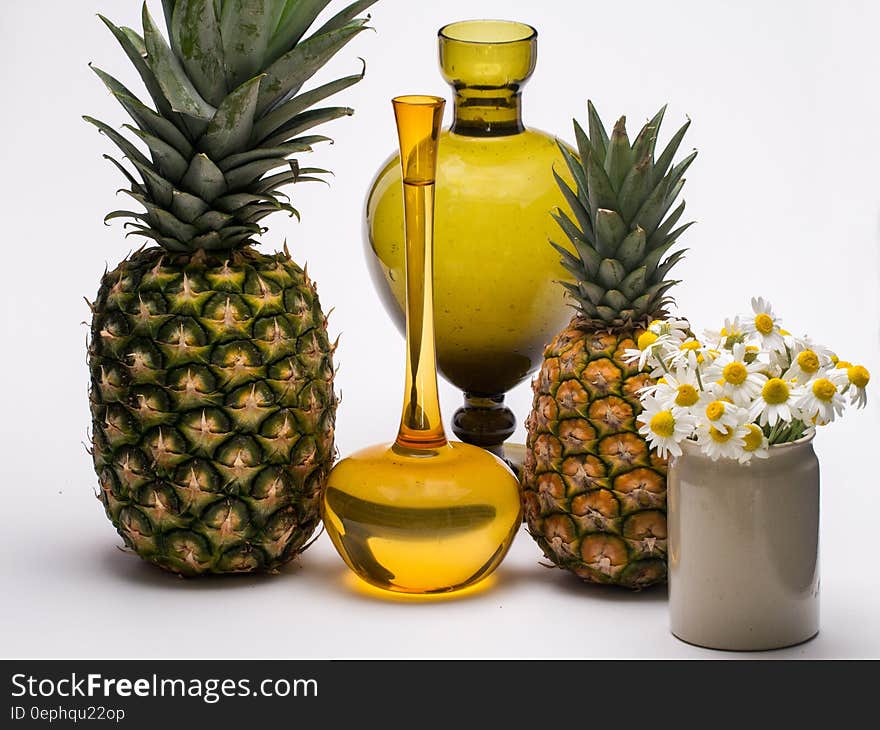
(594, 493)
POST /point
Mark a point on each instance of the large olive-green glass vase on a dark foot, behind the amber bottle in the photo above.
(497, 300)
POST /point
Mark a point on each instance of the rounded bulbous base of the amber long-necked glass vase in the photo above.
(422, 521)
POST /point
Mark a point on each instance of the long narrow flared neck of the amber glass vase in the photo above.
(418, 124)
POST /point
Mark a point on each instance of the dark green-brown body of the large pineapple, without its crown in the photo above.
(212, 408)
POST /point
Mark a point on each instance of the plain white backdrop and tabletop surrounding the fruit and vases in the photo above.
(785, 107)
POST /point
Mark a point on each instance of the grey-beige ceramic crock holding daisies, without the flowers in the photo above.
(744, 548)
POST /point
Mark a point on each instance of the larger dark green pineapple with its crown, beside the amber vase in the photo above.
(211, 371)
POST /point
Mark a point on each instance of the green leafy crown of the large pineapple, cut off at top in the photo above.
(228, 111)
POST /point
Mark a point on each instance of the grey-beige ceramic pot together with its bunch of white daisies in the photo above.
(737, 412)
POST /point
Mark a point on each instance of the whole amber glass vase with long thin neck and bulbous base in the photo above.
(421, 514)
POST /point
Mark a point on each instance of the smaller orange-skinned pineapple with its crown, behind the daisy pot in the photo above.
(595, 495)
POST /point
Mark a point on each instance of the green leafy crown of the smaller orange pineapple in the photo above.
(621, 231)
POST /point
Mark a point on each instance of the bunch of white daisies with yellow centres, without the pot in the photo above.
(740, 390)
